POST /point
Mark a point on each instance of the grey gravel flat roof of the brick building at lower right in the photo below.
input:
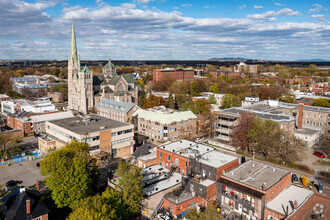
(256, 174)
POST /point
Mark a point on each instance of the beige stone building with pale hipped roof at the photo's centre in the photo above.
(164, 124)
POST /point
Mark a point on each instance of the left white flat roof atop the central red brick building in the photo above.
(186, 148)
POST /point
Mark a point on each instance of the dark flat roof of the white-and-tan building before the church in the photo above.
(91, 124)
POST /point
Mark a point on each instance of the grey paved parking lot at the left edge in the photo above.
(26, 171)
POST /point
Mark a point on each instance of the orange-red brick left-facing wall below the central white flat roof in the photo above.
(173, 157)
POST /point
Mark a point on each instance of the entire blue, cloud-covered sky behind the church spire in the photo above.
(166, 29)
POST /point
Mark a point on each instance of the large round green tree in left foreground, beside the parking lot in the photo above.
(70, 173)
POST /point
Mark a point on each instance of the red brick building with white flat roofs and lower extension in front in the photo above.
(200, 166)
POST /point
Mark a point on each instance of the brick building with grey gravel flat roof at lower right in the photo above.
(249, 187)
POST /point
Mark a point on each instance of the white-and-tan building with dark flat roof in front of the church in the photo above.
(102, 135)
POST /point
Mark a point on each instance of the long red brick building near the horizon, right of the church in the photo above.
(177, 74)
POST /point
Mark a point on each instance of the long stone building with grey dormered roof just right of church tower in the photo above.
(116, 110)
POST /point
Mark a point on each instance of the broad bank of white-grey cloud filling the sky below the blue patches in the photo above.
(128, 32)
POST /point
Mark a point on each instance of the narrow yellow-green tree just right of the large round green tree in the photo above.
(129, 185)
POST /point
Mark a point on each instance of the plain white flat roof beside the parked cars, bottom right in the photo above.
(287, 198)
